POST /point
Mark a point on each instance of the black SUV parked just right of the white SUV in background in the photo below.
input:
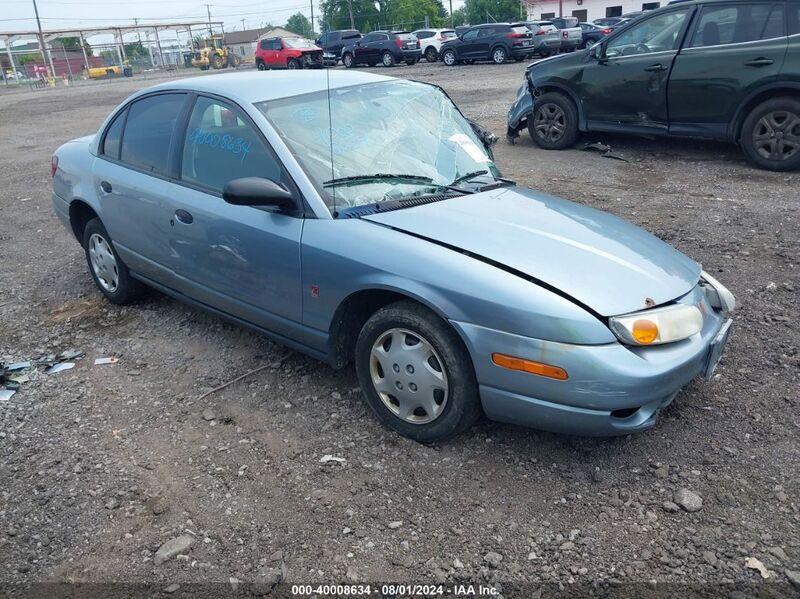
(493, 41)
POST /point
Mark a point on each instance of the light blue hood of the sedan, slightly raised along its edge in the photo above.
(595, 258)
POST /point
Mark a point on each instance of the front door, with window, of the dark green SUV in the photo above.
(625, 85)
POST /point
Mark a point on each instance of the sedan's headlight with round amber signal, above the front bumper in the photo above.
(657, 326)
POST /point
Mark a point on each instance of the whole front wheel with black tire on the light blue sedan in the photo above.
(443, 362)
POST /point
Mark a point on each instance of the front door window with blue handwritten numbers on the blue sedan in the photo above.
(221, 145)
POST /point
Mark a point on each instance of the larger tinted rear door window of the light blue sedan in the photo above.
(148, 131)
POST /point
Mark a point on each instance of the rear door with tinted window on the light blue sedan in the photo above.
(130, 177)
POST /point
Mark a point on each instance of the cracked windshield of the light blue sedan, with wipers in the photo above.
(390, 140)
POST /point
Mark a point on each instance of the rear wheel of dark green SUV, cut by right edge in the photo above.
(770, 136)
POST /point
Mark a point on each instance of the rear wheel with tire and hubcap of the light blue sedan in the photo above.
(103, 261)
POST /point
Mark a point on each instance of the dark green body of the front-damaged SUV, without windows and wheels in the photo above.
(684, 91)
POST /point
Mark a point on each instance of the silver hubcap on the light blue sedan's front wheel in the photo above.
(408, 375)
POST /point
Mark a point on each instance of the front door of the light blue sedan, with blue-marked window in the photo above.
(240, 259)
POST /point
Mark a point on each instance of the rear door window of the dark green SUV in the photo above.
(738, 23)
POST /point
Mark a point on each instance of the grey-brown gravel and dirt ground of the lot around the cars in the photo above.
(101, 465)
